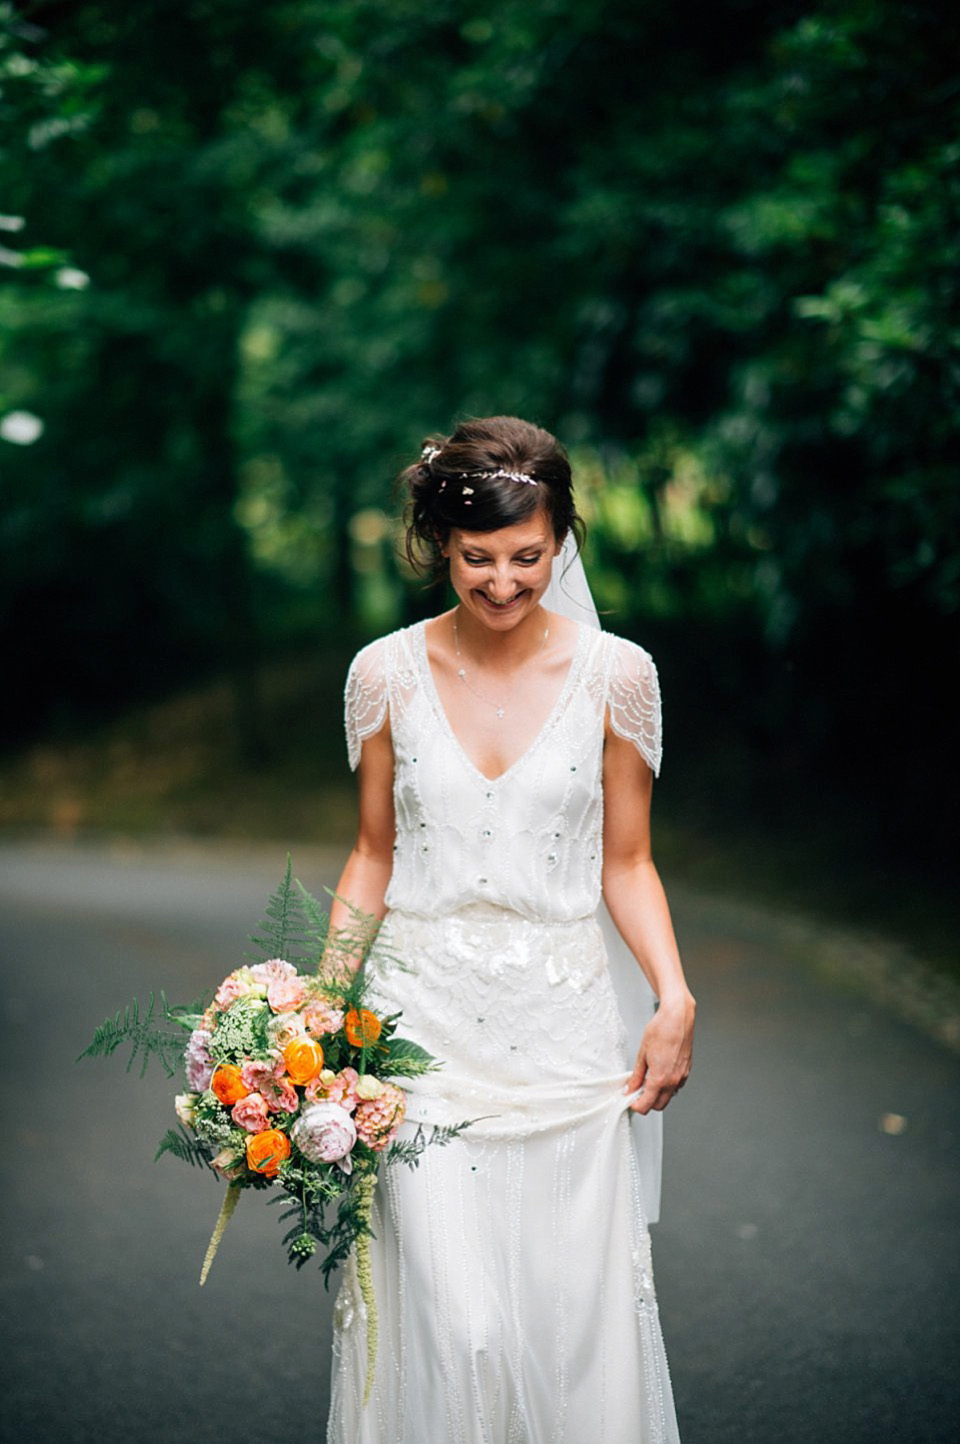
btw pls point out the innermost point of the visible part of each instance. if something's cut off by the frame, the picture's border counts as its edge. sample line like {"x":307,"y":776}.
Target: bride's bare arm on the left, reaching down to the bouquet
{"x":367,"y":873}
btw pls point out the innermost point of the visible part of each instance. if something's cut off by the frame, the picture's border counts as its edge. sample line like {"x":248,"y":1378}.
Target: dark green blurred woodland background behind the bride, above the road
{"x":253,"y":253}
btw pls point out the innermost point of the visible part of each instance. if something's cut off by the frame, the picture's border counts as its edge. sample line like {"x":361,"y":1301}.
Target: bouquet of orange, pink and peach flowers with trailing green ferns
{"x":291,"y":1084}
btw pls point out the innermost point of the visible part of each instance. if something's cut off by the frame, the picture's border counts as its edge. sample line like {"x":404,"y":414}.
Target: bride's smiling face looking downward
{"x":500,"y":577}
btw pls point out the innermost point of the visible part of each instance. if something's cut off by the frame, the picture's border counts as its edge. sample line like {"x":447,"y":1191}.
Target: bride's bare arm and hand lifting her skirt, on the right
{"x":639,"y":906}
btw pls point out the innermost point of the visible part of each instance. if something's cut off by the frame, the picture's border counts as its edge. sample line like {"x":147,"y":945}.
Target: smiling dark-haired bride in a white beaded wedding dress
{"x":506,"y":765}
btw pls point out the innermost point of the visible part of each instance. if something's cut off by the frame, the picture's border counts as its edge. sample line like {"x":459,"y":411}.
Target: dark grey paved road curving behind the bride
{"x":808,"y":1263}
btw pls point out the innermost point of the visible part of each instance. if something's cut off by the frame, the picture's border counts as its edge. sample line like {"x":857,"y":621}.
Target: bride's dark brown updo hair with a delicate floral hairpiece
{"x":489,"y":474}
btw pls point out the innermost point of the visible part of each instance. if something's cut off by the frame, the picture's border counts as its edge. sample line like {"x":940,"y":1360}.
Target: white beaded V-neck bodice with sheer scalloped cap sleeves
{"x":532,"y":838}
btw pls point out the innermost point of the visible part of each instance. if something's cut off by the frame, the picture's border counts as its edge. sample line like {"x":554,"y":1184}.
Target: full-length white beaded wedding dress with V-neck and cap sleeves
{"x":513,"y":1271}
